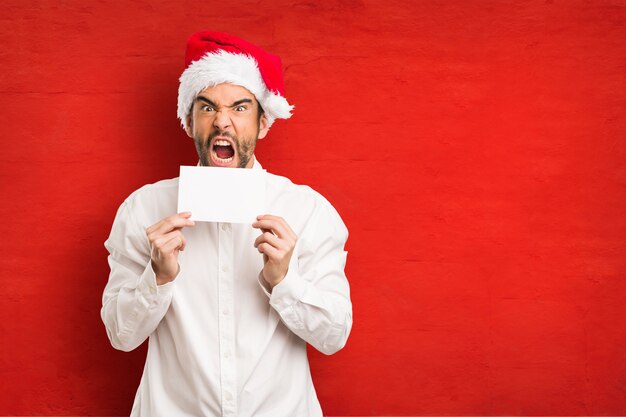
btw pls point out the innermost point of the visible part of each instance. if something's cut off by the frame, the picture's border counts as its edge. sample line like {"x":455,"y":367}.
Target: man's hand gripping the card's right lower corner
{"x":276,"y":244}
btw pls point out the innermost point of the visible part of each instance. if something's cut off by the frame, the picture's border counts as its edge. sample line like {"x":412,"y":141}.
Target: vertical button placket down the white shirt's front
{"x":228,"y":365}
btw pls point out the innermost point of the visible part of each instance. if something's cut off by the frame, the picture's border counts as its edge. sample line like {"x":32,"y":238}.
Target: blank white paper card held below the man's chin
{"x":229,"y":195}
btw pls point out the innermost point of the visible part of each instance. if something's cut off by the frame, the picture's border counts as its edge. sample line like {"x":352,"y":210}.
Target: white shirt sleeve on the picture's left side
{"x":132,"y":303}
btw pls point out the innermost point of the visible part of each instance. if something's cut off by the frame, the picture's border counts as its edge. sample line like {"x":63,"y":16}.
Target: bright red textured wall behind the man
{"x":475,"y":149}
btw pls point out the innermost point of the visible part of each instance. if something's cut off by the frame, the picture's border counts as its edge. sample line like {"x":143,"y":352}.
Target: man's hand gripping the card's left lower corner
{"x":166,"y":240}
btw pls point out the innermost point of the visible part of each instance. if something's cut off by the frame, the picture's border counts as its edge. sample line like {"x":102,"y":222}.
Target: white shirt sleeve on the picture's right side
{"x":313,"y":300}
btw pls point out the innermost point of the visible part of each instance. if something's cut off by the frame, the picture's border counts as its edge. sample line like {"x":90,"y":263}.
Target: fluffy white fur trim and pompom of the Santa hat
{"x":226,"y":67}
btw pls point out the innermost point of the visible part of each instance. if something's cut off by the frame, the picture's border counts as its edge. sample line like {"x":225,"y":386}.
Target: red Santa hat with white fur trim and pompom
{"x":213,"y":58}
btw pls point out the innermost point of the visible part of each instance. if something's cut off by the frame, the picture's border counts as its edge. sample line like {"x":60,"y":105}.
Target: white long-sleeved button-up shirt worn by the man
{"x":220,"y":344}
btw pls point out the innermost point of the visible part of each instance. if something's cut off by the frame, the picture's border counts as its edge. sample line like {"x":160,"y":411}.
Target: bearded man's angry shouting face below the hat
{"x":225,"y":125}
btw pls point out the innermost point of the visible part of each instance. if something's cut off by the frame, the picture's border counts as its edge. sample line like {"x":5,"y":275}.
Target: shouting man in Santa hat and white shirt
{"x":228,"y":308}
